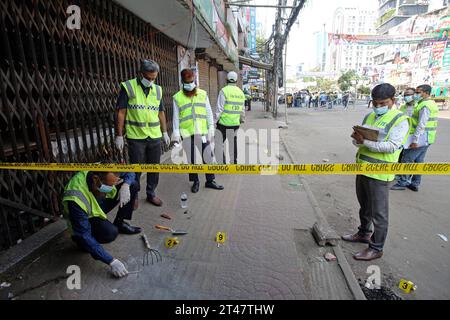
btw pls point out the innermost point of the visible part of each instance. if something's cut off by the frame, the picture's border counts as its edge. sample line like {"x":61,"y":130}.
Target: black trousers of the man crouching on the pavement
{"x":103,"y":230}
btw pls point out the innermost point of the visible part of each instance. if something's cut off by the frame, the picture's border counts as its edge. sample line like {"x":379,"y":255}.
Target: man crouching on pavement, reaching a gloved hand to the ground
{"x":88,"y":198}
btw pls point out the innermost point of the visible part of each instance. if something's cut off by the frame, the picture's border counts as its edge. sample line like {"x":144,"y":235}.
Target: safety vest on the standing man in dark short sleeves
{"x":142,"y":119}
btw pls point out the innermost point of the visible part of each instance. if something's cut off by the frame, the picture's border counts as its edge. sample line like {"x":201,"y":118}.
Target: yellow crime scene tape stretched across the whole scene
{"x":281,"y":169}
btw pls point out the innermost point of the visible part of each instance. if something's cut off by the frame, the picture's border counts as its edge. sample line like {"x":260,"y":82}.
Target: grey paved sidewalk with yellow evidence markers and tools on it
{"x":269,"y":254}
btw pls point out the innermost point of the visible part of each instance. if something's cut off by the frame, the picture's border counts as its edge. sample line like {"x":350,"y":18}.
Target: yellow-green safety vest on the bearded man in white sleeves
{"x":192,"y":113}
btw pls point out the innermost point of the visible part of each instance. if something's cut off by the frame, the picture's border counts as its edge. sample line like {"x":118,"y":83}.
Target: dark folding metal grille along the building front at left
{"x":58,"y":93}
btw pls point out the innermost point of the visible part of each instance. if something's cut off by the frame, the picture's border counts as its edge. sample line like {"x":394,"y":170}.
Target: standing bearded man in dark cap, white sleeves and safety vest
{"x":193,"y":121}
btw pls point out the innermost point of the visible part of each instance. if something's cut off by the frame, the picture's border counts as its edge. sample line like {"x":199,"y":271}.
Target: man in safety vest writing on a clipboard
{"x":372,"y":190}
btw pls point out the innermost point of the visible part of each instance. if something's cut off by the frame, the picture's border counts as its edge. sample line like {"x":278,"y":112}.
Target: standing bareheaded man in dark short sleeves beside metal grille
{"x":140,"y":114}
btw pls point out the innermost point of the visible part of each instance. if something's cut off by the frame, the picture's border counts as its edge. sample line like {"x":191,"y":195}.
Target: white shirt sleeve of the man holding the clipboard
{"x":394,"y":143}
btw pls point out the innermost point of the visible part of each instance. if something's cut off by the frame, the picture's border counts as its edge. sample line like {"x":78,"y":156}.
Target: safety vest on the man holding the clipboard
{"x":385,"y":124}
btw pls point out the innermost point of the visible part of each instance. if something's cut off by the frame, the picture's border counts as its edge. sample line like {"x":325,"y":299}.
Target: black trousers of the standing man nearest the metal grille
{"x":146,"y":151}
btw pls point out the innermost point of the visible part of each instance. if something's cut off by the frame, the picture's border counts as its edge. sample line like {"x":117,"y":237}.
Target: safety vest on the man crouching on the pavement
{"x":77,"y":190}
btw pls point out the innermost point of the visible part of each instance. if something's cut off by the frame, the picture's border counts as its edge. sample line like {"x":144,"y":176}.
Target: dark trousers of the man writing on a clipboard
{"x":373,"y":197}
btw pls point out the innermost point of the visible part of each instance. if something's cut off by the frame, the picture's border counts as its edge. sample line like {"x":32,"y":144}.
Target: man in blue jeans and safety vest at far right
{"x":423,"y":128}
